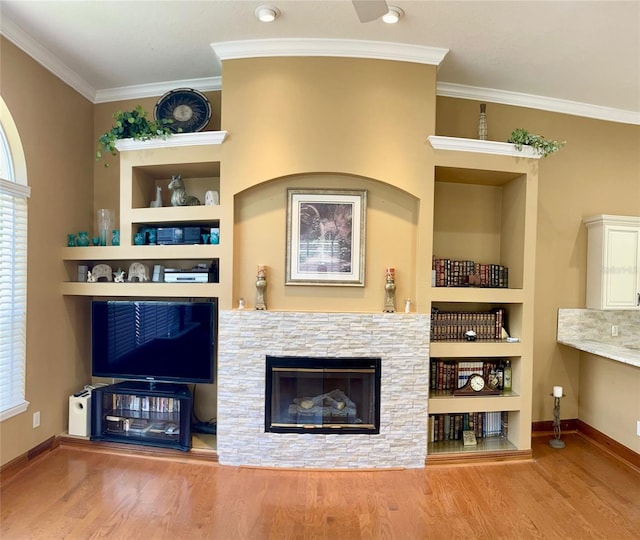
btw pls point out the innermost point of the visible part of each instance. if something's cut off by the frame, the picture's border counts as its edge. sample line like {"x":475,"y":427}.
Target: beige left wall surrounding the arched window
{"x":55,"y":126}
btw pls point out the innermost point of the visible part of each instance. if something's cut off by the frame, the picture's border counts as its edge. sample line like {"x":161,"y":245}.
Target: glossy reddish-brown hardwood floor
{"x":72,"y":493}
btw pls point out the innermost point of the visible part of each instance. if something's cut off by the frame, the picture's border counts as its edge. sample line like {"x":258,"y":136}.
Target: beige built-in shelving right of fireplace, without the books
{"x":485,"y":197}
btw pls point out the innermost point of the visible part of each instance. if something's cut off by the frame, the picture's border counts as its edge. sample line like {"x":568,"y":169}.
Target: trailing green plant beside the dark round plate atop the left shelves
{"x":132,"y":125}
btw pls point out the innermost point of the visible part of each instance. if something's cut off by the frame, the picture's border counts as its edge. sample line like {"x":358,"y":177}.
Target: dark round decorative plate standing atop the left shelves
{"x":188,"y":109}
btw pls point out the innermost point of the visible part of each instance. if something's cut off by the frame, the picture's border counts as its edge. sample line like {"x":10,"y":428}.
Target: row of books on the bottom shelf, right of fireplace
{"x":449,"y":427}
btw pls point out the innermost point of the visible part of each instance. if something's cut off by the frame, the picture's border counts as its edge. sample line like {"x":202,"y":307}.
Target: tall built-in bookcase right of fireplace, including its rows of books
{"x":483,"y":264}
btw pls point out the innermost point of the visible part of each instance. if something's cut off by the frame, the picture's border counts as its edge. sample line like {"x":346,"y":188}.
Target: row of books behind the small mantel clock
{"x":452,"y":374}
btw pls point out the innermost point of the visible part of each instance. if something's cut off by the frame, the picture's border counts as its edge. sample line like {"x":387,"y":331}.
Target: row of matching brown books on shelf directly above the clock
{"x":451,"y":326}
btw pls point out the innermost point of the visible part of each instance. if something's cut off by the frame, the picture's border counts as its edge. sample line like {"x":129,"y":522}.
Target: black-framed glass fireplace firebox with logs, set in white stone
{"x":322,"y":395}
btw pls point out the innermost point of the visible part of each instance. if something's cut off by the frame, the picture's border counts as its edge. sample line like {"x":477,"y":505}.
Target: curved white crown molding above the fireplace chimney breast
{"x":349,"y":48}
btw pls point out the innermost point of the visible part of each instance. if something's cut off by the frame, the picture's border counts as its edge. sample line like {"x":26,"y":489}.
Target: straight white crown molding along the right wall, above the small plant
{"x":530,"y":101}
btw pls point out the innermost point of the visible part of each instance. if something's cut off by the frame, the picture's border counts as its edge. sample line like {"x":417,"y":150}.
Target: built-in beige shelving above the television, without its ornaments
{"x":145,"y":166}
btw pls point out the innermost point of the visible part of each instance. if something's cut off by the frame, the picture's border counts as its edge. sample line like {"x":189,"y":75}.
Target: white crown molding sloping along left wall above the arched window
{"x":50,"y":62}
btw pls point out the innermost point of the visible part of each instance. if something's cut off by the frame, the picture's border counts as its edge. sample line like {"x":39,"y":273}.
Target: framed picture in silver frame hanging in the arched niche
{"x":326,"y":237}
